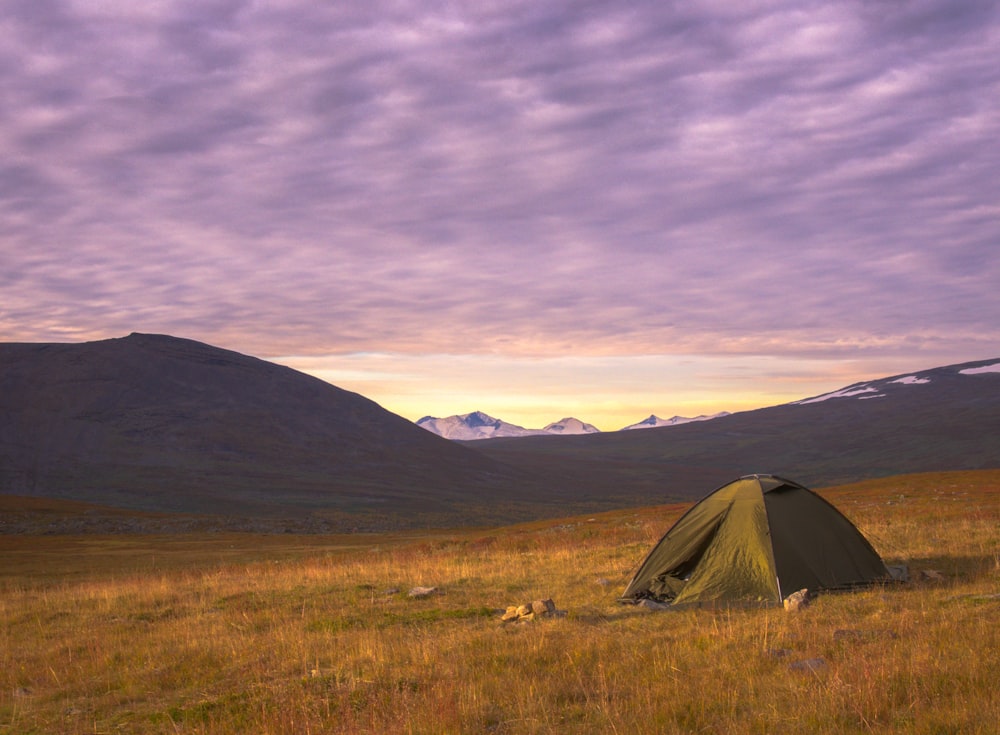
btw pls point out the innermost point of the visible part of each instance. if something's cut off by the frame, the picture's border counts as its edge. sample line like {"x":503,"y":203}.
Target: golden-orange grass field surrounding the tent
{"x":217,"y":633}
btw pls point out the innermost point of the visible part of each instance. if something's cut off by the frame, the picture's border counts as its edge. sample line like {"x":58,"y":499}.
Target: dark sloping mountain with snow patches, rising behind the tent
{"x":946,"y":418}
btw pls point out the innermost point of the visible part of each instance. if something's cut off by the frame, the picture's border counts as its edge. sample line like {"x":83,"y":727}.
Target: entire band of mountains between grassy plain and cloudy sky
{"x":155,"y":423}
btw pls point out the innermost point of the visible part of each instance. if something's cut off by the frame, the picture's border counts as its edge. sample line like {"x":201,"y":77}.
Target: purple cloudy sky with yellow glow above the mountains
{"x":538,"y":210}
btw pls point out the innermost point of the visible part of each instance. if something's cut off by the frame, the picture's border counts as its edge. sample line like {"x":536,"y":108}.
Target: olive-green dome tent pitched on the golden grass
{"x":758,"y":538}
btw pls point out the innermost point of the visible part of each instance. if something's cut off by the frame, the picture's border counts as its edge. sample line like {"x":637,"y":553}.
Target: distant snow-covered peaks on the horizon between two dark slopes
{"x":478,"y":425}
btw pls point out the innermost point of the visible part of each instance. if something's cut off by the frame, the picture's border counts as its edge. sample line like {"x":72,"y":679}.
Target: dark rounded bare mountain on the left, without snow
{"x":158,"y":423}
